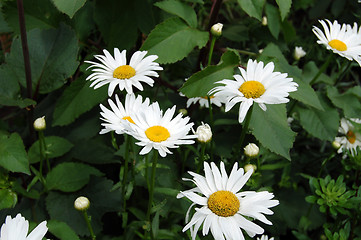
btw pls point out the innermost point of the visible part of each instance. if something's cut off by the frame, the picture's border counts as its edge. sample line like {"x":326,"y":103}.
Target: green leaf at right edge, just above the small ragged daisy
{"x":349,"y":101}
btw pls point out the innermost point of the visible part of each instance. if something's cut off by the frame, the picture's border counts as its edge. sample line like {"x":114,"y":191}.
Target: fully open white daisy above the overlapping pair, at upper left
{"x":116,"y":71}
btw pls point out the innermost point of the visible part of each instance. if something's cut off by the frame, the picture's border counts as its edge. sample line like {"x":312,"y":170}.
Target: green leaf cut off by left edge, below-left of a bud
{"x":13,"y":156}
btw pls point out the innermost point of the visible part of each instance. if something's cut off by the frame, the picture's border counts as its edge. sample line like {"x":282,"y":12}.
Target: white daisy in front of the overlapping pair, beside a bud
{"x":158,"y":131}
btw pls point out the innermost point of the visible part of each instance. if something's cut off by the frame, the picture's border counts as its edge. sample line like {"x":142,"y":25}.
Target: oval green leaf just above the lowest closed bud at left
{"x":70,"y":177}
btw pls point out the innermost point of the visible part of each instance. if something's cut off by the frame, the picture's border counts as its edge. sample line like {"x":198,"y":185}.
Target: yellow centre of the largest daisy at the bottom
{"x":223,"y":203}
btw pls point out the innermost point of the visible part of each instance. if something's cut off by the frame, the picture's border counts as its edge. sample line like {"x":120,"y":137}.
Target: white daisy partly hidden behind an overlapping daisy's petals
{"x":118,"y":112}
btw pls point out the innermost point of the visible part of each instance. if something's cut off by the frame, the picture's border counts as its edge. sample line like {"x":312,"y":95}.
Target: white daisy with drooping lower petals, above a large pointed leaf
{"x":258,"y":84}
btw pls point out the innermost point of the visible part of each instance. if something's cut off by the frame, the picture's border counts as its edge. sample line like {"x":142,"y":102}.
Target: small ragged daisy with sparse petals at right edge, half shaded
{"x":350,"y":139}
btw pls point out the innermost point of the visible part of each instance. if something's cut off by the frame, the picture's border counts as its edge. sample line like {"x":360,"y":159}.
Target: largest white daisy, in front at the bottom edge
{"x":224,"y":209}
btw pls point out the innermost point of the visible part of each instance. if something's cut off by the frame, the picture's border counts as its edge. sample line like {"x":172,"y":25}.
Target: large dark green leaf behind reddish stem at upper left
{"x":53,"y":55}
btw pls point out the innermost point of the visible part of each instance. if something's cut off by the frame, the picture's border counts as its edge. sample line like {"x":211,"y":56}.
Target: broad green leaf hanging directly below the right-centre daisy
{"x":271,"y":129}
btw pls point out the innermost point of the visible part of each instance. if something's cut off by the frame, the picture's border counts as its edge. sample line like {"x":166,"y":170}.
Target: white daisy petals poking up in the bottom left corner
{"x":17,"y":229}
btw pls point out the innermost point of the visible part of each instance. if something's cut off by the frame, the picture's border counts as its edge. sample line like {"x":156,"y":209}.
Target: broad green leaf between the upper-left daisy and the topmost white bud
{"x":172,"y":40}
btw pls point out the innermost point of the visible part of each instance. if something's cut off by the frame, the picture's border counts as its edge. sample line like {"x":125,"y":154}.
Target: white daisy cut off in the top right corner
{"x":341,"y":39}
